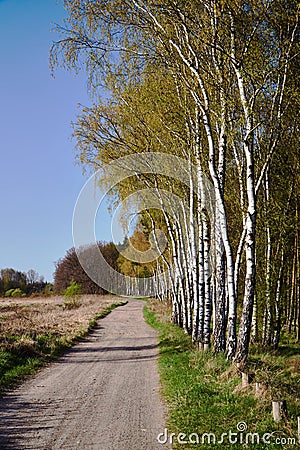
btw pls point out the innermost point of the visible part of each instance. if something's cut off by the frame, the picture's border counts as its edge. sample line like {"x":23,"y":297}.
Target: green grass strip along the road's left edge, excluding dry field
{"x":23,"y":355}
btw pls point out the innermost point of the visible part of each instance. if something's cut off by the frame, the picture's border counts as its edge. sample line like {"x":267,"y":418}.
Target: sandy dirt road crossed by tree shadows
{"x":103,"y":394}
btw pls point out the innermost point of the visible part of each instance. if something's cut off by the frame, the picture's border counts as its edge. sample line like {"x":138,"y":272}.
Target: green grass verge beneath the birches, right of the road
{"x":202,"y":395}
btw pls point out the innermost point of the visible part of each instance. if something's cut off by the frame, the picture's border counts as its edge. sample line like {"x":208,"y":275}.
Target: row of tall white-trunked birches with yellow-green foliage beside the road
{"x":215,"y":83}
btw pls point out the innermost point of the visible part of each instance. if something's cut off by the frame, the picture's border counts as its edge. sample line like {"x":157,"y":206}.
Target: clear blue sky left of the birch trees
{"x":39,"y":182}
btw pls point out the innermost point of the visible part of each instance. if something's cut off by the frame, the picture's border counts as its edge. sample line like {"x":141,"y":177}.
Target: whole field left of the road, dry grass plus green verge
{"x":32,"y":330}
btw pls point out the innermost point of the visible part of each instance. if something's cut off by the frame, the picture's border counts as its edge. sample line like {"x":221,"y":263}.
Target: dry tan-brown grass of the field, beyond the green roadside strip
{"x":28,"y":318}
